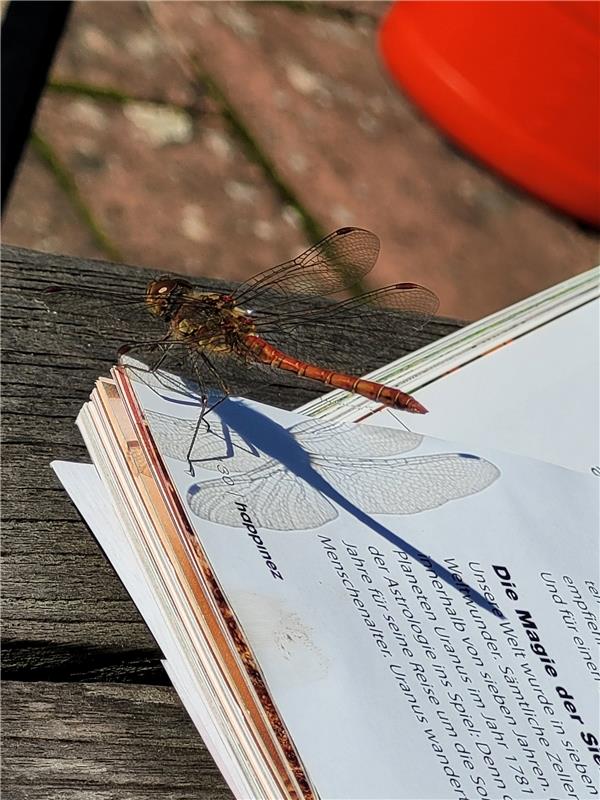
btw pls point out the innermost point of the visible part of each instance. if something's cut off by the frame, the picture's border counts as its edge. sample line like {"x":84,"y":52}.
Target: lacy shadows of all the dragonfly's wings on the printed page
{"x":284,"y":498}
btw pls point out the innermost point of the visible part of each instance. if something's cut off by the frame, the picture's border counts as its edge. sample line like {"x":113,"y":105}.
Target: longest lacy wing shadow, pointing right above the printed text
{"x":408,"y":485}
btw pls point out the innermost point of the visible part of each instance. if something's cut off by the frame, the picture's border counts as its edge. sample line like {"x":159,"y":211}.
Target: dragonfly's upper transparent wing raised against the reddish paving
{"x":337,"y":262}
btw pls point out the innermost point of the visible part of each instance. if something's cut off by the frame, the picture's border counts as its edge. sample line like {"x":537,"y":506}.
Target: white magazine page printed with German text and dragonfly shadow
{"x":391,"y":684}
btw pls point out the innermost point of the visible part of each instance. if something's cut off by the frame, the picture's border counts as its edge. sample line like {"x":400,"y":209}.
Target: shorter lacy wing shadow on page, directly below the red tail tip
{"x":327,"y":438}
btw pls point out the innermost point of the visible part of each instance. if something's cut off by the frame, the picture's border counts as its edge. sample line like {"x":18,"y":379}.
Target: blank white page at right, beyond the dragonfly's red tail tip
{"x":538,"y":395}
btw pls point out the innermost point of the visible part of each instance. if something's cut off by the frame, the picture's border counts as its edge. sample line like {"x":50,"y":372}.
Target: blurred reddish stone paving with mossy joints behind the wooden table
{"x":219,"y":138}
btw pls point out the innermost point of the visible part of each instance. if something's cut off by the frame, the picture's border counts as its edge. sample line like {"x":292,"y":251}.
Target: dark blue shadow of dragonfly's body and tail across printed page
{"x":275,"y":441}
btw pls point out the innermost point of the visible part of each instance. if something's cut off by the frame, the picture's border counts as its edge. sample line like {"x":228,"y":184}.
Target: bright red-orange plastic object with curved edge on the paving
{"x":517,"y":84}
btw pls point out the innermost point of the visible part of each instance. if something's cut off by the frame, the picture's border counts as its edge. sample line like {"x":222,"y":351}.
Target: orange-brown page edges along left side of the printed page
{"x":200,"y":585}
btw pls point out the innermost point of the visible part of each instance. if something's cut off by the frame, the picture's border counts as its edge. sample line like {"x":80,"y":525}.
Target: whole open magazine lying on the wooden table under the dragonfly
{"x":363,"y":610}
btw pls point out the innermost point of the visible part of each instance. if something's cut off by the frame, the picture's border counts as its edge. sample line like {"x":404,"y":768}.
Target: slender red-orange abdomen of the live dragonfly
{"x":386,"y":395}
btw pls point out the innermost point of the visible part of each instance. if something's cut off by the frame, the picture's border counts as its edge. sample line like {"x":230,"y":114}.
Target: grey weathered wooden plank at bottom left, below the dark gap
{"x":98,"y":741}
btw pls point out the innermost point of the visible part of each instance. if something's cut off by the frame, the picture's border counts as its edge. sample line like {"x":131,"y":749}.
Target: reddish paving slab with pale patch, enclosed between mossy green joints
{"x":173,"y":193}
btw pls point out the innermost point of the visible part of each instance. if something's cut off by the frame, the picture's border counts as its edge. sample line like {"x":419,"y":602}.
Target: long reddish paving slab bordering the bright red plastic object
{"x":356,"y":152}
